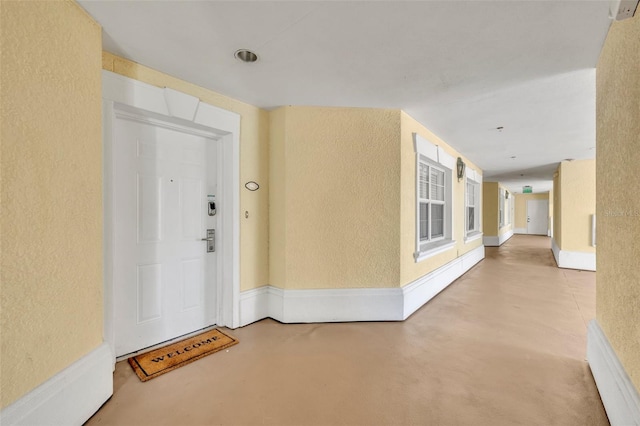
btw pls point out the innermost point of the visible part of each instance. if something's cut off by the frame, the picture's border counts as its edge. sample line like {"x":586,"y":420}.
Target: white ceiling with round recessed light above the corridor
{"x":460,"y":68}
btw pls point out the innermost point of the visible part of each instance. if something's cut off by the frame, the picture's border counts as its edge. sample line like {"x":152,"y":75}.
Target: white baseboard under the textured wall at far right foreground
{"x":619,"y":397}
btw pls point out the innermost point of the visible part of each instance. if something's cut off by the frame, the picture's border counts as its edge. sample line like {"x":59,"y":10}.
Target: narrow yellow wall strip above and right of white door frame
{"x":254,"y":165}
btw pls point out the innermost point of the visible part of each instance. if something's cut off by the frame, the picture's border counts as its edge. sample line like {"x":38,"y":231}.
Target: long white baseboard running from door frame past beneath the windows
{"x":353,"y":304}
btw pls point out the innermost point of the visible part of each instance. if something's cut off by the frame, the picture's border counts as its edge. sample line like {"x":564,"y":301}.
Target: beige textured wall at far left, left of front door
{"x":51,"y":168}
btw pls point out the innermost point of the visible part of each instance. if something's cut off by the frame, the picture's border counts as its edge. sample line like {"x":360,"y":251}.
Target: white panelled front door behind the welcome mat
{"x":164,"y":278}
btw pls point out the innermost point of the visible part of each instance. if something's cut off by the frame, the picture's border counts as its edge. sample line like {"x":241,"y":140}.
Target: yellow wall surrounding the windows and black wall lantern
{"x":410,"y":270}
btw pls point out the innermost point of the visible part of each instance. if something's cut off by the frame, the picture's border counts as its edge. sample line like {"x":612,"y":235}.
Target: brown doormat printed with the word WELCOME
{"x":159,"y":361}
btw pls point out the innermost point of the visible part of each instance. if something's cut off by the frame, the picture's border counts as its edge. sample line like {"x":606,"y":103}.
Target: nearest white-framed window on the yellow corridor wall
{"x":434,"y":183}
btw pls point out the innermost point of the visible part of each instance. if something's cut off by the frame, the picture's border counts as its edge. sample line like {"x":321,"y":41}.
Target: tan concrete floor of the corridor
{"x":503,"y":345}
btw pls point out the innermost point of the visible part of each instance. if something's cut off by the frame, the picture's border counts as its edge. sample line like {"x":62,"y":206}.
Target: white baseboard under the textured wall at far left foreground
{"x":70,"y":397}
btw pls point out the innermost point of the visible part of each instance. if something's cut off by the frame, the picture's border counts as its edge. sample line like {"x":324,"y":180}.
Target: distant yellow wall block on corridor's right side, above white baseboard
{"x":578,"y":199}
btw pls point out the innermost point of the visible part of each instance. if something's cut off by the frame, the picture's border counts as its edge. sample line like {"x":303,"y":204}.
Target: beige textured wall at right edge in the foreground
{"x":618,"y":207}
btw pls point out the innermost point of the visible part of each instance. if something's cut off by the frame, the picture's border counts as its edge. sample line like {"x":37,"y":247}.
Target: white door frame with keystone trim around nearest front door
{"x":170,"y":108}
